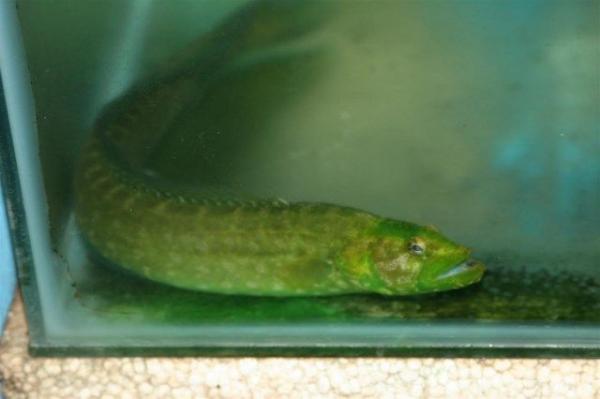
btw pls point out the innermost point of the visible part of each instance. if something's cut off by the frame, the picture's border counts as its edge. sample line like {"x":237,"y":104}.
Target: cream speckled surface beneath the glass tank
{"x":47,"y":378}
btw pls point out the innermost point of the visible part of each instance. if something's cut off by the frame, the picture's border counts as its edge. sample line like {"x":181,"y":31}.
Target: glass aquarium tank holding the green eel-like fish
{"x":304,"y":177}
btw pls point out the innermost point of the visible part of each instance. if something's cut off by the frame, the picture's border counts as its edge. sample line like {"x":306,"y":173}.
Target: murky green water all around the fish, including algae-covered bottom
{"x":480,"y":118}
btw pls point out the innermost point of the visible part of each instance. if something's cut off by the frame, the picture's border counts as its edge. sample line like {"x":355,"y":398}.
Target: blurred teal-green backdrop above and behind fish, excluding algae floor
{"x":484,"y":108}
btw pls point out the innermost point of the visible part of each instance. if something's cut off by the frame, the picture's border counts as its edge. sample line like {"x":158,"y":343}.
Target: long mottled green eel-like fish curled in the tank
{"x":230,"y":245}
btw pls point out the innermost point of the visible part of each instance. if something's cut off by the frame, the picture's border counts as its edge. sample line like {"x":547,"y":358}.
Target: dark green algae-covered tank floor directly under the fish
{"x":511,"y":291}
